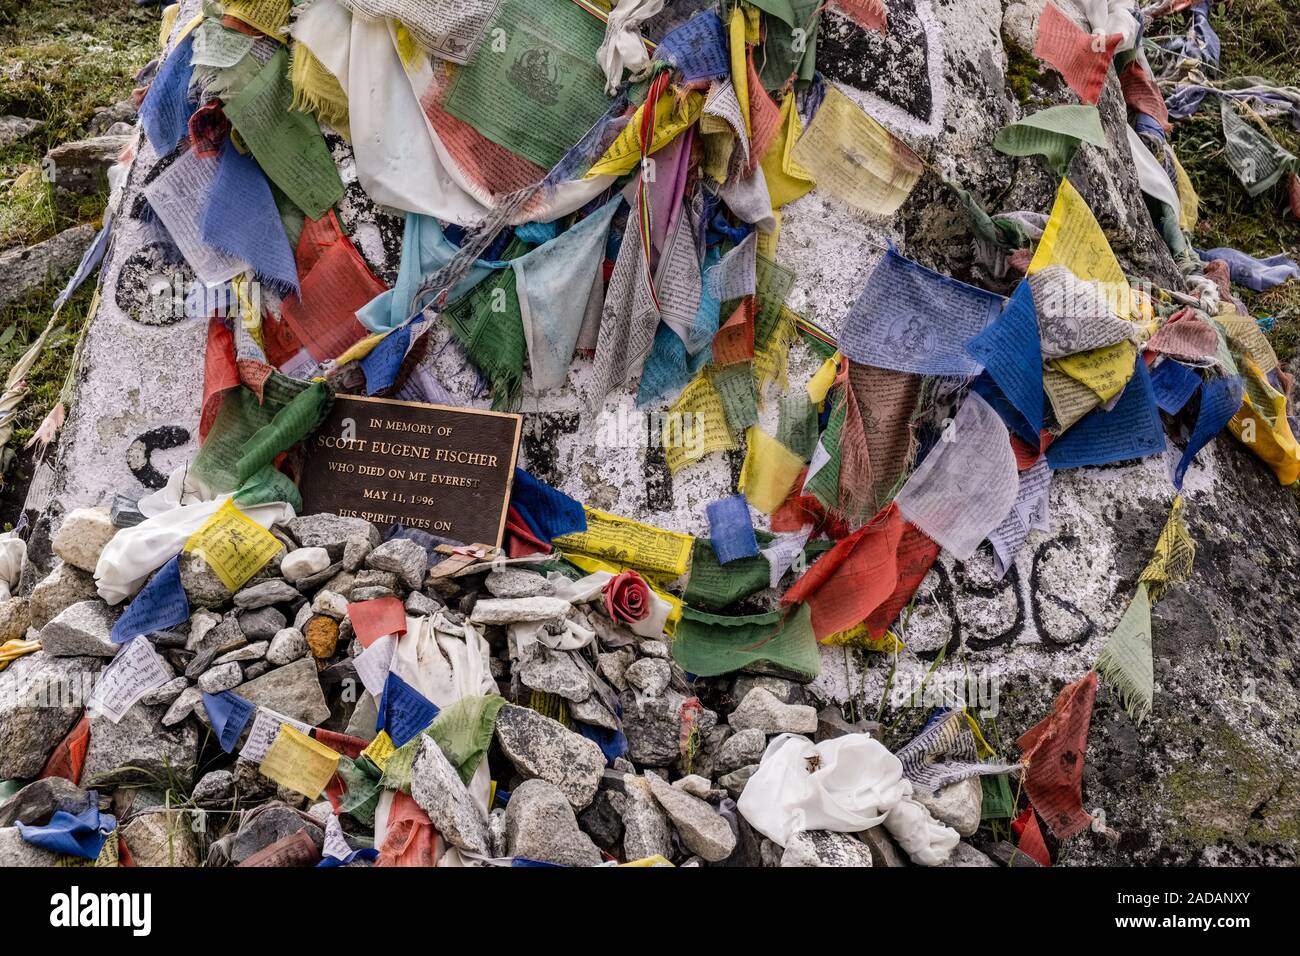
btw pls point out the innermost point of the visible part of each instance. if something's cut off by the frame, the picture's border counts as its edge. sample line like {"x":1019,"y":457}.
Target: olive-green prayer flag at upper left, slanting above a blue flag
{"x":288,"y":145}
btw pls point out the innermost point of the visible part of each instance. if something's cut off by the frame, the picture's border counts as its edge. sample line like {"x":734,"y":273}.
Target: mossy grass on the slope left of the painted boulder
{"x":60,"y":62}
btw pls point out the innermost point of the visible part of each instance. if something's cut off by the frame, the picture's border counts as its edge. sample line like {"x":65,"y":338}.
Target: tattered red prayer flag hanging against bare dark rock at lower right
{"x":1054,"y":751}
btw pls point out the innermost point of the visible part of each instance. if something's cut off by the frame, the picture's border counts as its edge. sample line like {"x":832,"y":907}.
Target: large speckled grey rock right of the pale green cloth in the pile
{"x":541,"y":747}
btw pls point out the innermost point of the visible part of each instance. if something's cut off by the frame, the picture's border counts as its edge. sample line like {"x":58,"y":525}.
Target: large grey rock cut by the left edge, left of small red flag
{"x":41,"y":699}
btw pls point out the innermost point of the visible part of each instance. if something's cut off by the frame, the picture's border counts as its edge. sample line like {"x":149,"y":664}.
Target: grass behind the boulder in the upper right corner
{"x":1260,"y":38}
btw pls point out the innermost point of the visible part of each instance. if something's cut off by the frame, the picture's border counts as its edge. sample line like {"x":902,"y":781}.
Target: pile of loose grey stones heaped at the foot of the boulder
{"x":285,"y":642}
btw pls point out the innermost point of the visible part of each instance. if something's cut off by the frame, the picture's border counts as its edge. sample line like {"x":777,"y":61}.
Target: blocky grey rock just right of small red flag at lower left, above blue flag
{"x":138,"y":749}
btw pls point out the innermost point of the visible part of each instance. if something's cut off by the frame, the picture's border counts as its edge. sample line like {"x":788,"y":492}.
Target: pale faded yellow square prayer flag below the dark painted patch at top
{"x":856,"y":159}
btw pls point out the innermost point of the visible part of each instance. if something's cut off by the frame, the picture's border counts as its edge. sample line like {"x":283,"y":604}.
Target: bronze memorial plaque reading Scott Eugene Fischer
{"x":447,"y":471}
